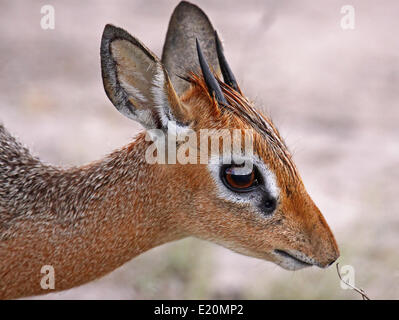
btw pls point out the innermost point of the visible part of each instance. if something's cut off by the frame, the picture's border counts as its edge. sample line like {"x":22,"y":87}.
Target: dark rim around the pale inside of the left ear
{"x":159,"y":114}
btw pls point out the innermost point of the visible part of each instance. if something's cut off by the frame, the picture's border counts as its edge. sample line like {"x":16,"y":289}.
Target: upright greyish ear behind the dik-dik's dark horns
{"x":187,"y":23}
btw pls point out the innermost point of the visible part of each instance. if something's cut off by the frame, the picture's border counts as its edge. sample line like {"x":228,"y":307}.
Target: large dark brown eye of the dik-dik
{"x":240,"y":178}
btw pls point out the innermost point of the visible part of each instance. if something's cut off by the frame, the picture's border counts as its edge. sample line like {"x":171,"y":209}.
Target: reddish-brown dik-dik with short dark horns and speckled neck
{"x":87,"y":221}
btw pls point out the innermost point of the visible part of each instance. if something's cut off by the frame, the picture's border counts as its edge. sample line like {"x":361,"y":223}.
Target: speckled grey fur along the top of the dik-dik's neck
{"x":33,"y":190}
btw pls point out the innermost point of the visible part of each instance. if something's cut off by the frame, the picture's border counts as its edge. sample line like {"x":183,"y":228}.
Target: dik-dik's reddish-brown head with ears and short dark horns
{"x":256,"y":204}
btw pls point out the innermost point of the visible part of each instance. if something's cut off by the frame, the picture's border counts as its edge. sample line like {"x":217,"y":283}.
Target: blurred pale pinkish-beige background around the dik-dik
{"x":333,"y":93}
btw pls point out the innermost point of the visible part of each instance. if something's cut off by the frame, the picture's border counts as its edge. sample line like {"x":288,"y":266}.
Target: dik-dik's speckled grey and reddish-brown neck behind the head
{"x":84,"y":222}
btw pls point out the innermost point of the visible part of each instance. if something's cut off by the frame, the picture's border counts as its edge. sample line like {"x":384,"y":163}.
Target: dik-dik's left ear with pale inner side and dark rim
{"x":136,"y":82}
